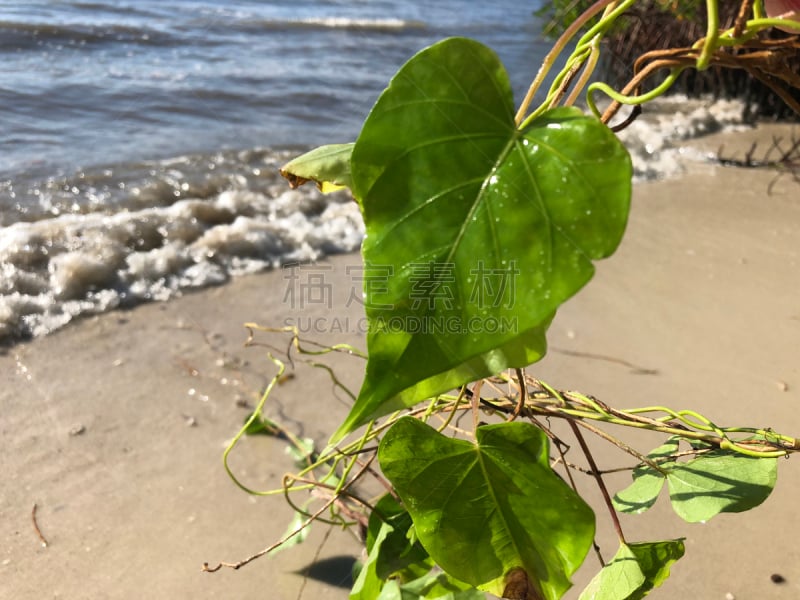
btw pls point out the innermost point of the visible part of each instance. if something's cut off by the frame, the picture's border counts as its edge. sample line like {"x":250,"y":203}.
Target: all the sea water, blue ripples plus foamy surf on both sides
{"x":140,"y":140}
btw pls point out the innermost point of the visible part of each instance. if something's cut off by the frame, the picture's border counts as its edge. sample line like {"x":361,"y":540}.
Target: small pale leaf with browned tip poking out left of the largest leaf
{"x":328,"y":166}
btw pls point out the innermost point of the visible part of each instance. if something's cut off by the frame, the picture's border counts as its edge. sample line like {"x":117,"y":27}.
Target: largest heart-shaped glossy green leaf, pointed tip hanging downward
{"x":476,"y":231}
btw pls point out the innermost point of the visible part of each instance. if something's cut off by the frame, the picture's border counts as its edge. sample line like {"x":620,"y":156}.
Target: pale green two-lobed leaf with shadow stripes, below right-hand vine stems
{"x":712,"y":483}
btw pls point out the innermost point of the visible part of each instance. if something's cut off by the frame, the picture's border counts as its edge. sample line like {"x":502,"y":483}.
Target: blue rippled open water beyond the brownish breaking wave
{"x":99,"y":82}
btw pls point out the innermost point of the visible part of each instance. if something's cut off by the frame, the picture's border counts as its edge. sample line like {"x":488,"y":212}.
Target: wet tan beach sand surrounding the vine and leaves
{"x":114,"y":427}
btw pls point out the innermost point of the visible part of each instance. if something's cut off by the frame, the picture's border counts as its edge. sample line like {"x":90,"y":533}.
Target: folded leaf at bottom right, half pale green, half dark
{"x":634,"y":571}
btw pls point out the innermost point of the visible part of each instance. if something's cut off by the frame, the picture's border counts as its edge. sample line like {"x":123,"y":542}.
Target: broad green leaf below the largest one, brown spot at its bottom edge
{"x":492,"y":509}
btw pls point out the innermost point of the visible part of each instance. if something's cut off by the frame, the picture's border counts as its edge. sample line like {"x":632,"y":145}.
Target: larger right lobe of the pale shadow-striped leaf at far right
{"x":720,"y":482}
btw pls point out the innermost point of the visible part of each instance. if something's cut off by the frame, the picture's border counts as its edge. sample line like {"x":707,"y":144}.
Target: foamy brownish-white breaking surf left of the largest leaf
{"x":56,"y":269}
